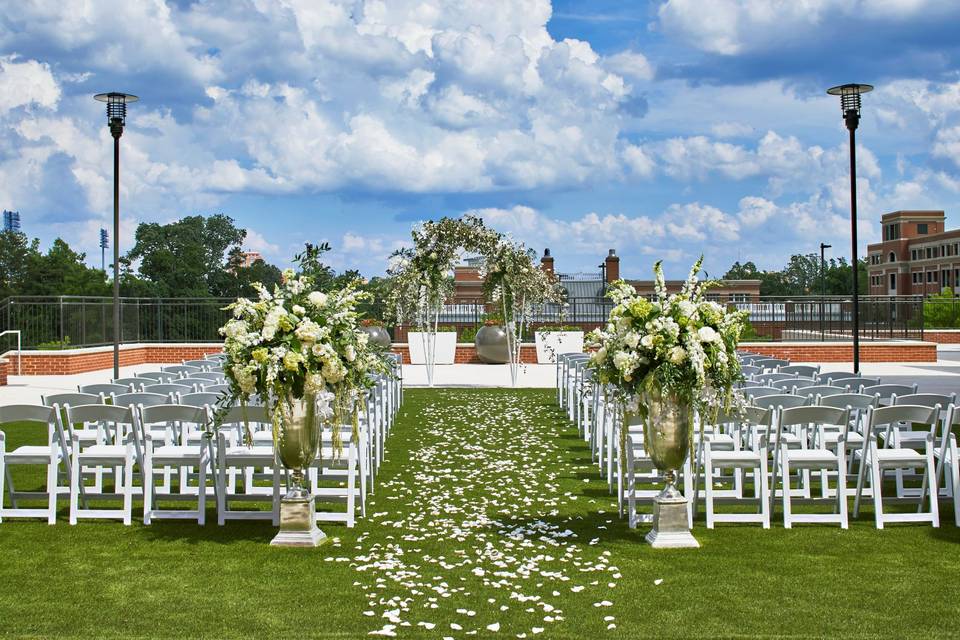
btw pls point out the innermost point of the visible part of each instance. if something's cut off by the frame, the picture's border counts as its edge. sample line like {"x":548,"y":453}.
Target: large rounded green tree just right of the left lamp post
{"x":186,"y":257}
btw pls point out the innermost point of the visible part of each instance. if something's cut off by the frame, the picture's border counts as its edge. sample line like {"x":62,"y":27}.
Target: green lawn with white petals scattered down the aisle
{"x":488,"y":512}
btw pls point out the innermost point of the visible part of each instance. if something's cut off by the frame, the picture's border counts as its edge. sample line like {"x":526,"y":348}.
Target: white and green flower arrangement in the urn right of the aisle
{"x":682,"y":343}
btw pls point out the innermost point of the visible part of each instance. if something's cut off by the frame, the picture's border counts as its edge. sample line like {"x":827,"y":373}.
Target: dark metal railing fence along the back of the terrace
{"x":74,"y":321}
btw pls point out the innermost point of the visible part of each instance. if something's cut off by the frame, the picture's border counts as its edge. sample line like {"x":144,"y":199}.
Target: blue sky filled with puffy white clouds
{"x":662,"y":129}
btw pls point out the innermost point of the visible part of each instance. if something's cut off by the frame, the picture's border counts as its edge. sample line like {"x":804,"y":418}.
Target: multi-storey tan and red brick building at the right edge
{"x":916,"y":256}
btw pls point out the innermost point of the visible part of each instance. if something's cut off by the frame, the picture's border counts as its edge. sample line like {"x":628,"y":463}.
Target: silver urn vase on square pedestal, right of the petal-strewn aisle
{"x":668,"y":425}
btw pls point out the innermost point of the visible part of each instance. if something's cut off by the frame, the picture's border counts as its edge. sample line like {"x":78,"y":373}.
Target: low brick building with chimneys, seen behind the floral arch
{"x":583,"y":286}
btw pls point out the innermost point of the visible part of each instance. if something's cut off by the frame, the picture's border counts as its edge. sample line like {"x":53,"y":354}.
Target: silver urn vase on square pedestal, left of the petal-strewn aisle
{"x":297,"y":430}
